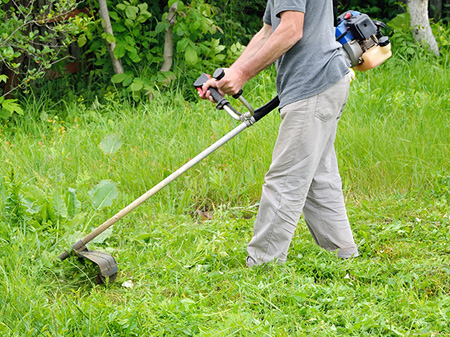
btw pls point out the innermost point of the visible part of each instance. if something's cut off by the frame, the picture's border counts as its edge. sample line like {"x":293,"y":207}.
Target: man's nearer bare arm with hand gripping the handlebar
{"x":263,"y":52}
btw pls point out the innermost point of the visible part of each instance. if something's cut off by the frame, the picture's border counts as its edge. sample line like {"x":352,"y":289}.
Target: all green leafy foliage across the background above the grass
{"x":207,"y":34}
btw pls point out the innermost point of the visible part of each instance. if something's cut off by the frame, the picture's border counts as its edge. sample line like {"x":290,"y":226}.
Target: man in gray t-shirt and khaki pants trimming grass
{"x":312,"y":83}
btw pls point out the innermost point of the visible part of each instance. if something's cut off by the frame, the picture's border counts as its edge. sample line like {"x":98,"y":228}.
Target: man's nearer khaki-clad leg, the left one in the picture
{"x":304,"y":134}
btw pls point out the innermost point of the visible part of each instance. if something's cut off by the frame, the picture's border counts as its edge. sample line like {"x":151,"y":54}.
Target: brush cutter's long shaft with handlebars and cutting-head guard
{"x":106,"y":263}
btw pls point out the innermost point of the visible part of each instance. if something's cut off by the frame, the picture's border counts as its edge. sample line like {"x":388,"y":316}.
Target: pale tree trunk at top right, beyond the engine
{"x":421,"y":25}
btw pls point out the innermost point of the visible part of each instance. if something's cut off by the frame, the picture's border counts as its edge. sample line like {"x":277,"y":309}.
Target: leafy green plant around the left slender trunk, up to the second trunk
{"x":136,"y":46}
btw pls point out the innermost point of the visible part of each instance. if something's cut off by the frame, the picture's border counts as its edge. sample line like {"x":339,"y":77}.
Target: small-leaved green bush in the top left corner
{"x":33,"y":39}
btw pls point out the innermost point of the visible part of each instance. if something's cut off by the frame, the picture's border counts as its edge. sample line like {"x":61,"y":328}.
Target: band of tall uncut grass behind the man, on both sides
{"x":392,"y":137}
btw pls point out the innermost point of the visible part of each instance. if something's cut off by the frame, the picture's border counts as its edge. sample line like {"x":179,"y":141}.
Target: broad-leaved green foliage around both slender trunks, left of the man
{"x":141,"y":49}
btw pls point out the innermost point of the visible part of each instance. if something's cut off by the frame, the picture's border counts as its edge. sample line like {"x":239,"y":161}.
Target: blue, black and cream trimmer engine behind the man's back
{"x":362,"y":40}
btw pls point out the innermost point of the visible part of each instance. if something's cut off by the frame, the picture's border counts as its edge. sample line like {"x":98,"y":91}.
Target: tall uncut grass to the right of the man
{"x":394,"y":135}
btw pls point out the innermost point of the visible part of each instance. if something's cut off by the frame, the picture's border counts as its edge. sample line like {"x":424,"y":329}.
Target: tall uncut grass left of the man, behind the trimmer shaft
{"x":58,"y":146}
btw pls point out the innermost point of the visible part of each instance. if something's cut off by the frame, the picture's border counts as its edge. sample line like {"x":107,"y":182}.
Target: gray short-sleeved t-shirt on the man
{"x":316,"y":61}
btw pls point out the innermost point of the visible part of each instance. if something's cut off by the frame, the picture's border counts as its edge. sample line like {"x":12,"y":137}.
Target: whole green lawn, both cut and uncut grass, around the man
{"x":186,"y":273}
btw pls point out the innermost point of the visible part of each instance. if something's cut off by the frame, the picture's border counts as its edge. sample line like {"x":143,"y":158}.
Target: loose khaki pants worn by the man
{"x":304,"y":176}
